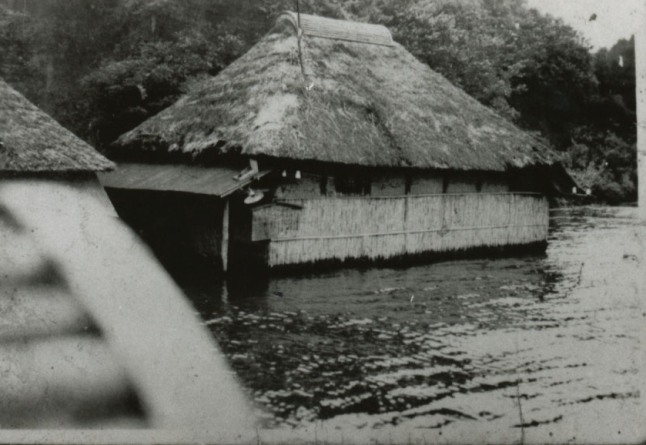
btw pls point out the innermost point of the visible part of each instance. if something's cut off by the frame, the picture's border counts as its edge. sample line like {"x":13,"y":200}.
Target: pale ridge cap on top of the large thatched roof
{"x":340,"y":29}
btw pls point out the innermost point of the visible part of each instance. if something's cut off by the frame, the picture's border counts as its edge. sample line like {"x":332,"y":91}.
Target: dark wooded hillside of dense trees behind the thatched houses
{"x":101,"y":67}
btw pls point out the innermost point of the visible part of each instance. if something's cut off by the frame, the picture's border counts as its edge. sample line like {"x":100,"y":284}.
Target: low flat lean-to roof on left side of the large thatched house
{"x":216,"y":181}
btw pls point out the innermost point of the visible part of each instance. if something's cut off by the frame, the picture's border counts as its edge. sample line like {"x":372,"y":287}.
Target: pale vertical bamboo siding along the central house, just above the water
{"x":333,"y":228}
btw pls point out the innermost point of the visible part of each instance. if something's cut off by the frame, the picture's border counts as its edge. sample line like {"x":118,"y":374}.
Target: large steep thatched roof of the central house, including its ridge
{"x":339,"y":99}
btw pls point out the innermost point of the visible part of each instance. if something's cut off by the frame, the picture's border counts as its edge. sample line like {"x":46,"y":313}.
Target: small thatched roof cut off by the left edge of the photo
{"x":31,"y":141}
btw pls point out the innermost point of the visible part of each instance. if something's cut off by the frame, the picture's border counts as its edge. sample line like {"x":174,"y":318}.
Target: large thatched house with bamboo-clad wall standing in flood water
{"x":364,"y":152}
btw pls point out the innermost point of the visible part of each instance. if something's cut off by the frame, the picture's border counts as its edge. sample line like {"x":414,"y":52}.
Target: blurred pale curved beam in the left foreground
{"x":149,"y":327}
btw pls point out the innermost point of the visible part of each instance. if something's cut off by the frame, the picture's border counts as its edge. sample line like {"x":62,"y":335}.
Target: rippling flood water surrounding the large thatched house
{"x":538,"y":348}
